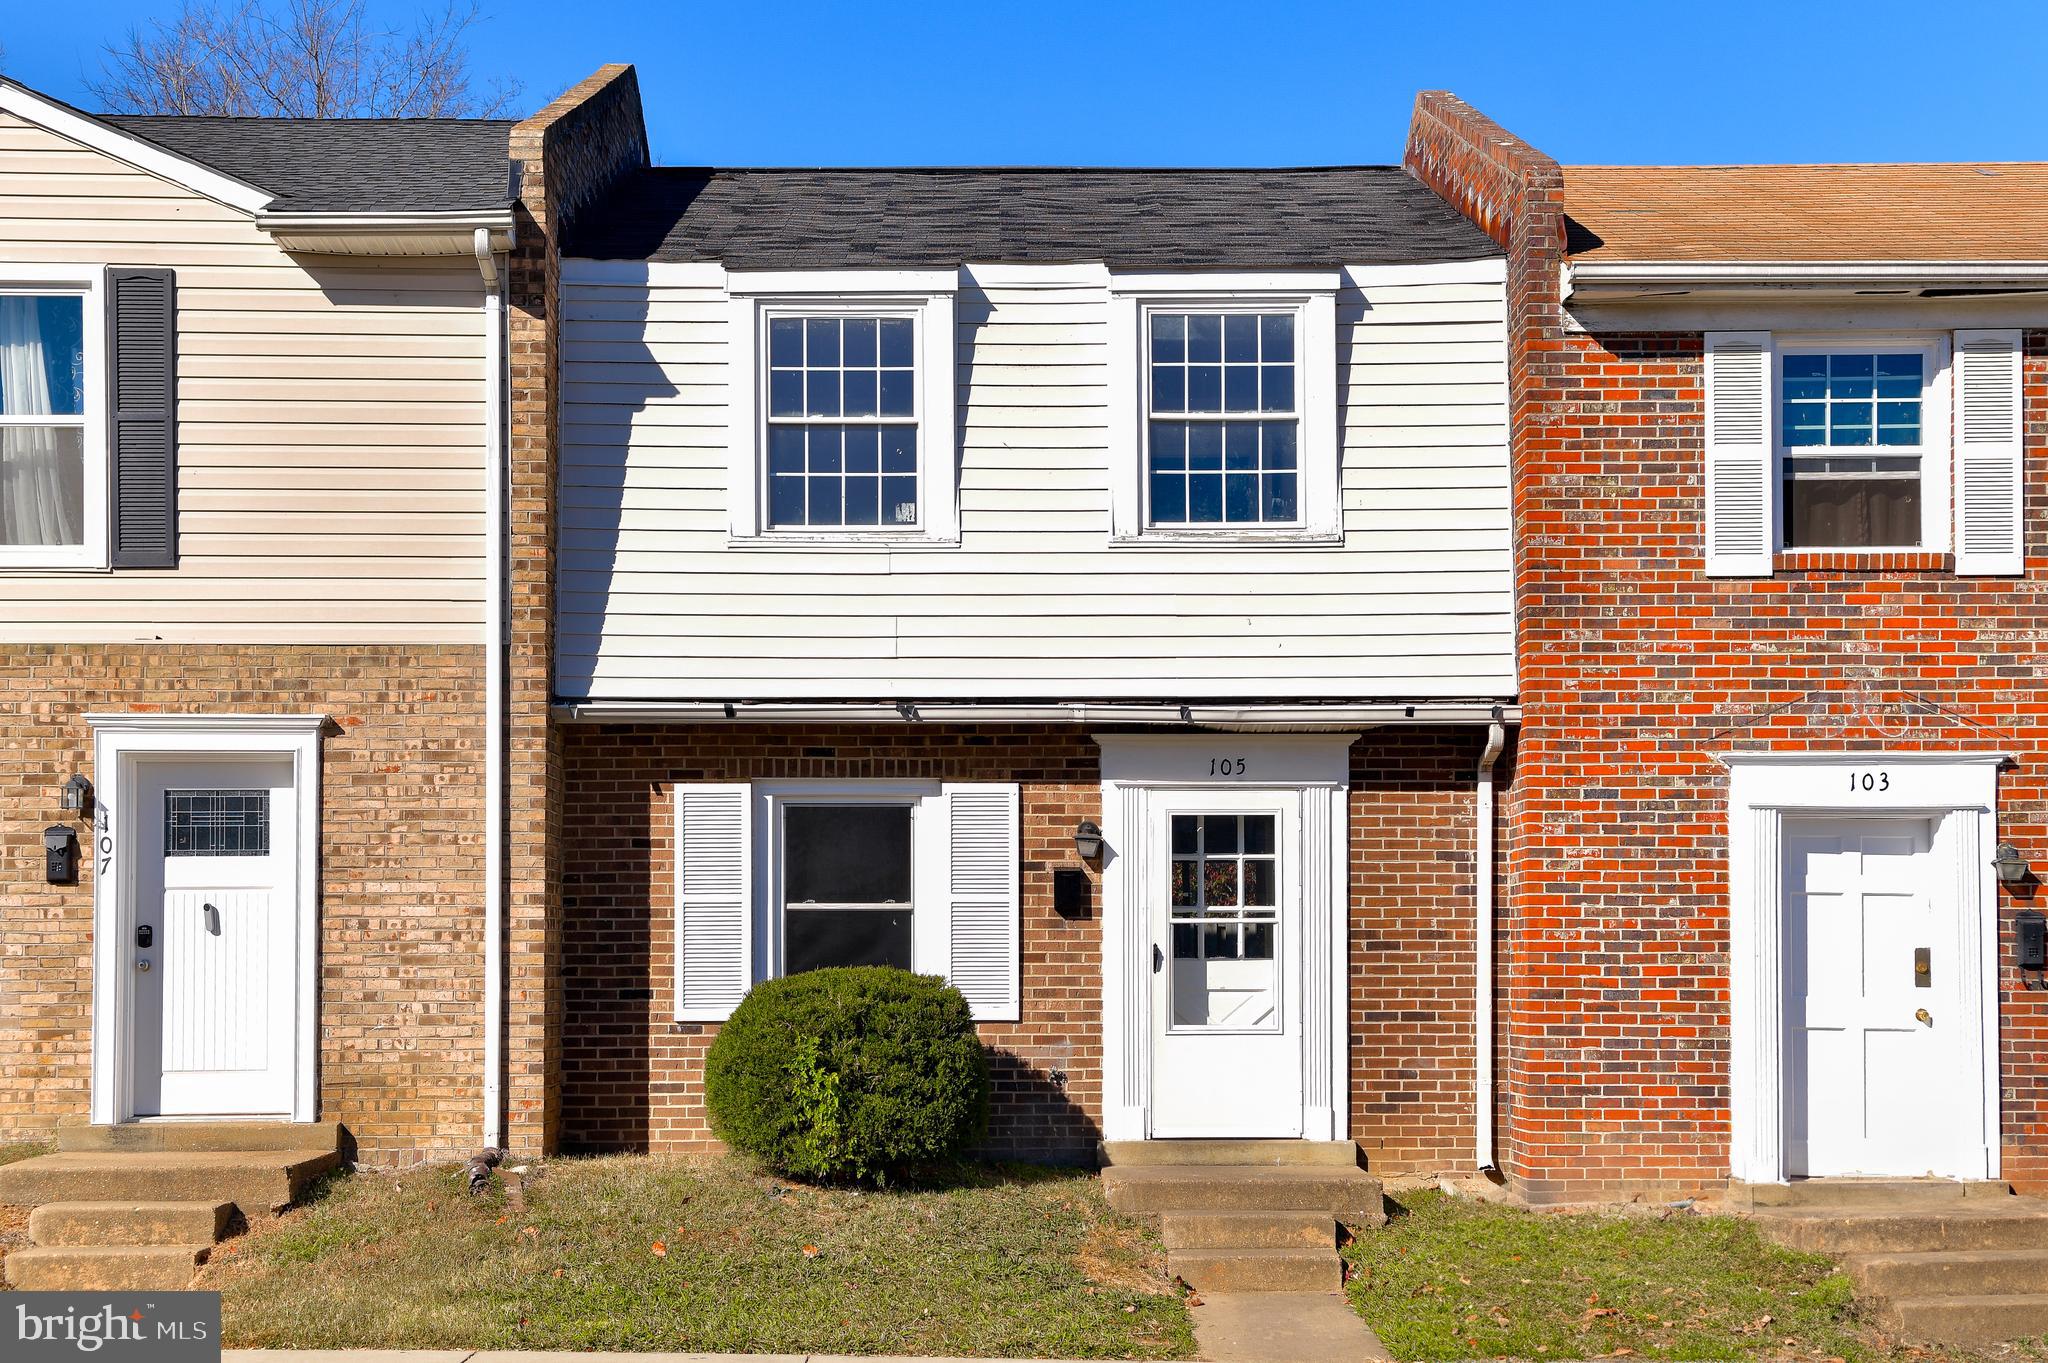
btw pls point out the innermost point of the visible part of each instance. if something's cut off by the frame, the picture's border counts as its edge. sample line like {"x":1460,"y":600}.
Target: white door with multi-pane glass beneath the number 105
{"x":1224,"y":893}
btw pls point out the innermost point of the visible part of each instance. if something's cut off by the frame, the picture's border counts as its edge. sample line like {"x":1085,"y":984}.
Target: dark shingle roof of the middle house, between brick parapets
{"x":798,"y":220}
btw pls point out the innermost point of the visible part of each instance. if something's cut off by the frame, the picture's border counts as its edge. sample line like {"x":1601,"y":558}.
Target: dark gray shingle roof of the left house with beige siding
{"x":347,"y":165}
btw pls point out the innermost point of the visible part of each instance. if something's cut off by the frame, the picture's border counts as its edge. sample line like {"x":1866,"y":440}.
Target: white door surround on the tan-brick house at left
{"x":118,"y":744}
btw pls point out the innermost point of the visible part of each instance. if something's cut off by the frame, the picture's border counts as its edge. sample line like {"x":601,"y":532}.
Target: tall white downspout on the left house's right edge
{"x":495,"y":689}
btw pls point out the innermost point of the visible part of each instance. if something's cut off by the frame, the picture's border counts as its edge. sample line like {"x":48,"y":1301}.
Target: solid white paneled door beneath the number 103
{"x":1875,"y":1024}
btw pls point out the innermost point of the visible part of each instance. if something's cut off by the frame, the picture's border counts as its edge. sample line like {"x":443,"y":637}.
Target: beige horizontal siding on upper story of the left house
{"x":331,"y":425}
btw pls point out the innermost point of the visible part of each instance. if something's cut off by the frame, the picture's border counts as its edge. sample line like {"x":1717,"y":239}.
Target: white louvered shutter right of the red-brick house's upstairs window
{"x":1990,"y":455}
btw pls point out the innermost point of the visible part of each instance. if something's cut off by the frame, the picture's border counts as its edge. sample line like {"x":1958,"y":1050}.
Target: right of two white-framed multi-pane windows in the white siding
{"x":1224,"y":410}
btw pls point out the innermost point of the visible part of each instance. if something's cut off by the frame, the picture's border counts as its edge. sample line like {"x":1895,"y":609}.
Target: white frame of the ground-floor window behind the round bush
{"x":929,"y":924}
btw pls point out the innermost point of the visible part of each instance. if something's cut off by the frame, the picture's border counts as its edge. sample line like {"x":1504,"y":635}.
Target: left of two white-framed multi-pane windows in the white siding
{"x":843,"y":408}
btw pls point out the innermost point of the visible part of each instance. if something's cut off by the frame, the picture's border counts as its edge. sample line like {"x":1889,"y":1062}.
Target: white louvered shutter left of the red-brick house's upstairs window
{"x":1740,"y":535}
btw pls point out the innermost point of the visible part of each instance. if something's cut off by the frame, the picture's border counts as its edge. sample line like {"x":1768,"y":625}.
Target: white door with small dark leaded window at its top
{"x":216,"y":887}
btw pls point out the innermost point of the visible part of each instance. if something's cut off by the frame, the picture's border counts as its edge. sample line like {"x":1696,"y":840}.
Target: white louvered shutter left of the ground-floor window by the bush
{"x":714,"y":899}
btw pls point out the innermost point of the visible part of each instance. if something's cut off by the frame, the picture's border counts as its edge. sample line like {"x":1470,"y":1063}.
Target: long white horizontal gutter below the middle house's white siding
{"x":1336,"y":715}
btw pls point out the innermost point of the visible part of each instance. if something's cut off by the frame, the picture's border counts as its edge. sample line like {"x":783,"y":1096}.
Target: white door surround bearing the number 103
{"x":1764,"y":789}
